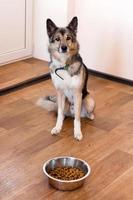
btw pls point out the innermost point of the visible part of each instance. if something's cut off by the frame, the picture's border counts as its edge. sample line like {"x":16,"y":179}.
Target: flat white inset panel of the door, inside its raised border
{"x":12,"y":25}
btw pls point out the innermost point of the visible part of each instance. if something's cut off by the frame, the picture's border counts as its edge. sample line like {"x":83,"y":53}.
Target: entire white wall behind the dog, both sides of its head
{"x":105,"y":32}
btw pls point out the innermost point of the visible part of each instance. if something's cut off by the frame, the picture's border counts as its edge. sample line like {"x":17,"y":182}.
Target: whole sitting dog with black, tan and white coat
{"x":69,"y":76}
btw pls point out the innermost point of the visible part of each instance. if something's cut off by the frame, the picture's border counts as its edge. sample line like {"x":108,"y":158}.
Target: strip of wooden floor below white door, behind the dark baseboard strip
{"x":21,"y":71}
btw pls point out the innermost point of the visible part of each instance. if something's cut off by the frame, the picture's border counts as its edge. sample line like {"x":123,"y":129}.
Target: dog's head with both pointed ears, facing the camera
{"x":63,"y":40}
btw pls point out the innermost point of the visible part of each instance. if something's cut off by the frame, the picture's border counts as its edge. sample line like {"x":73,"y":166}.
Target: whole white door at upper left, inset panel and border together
{"x":15,"y":29}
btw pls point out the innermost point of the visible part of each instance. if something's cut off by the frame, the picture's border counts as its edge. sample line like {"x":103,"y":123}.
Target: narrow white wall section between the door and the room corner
{"x":43,"y":9}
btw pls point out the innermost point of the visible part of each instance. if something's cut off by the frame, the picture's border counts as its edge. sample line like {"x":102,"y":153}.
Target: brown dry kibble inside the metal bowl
{"x":66,"y":173}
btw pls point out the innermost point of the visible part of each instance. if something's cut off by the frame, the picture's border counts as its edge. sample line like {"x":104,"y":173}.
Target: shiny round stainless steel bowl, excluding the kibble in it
{"x":66,"y":162}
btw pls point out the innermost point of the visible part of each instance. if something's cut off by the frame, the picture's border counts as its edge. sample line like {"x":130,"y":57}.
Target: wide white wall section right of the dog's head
{"x":106,"y":35}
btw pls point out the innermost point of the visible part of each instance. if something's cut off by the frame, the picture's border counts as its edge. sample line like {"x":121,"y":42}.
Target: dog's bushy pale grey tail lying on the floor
{"x":49,"y":103}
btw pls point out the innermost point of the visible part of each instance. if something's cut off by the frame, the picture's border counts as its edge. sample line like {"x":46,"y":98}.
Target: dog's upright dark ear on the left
{"x":51,"y":27}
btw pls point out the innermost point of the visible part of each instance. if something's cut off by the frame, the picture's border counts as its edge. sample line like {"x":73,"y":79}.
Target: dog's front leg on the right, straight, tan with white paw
{"x":77,"y":107}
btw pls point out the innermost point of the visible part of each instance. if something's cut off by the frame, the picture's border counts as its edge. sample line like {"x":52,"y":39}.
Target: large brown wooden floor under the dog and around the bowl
{"x":26,"y":143}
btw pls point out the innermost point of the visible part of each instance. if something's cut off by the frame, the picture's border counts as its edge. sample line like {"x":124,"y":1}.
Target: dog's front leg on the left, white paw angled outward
{"x":60,"y":116}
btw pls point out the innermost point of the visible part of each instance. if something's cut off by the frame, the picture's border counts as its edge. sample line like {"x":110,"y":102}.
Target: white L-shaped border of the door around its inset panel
{"x":27,"y":50}
